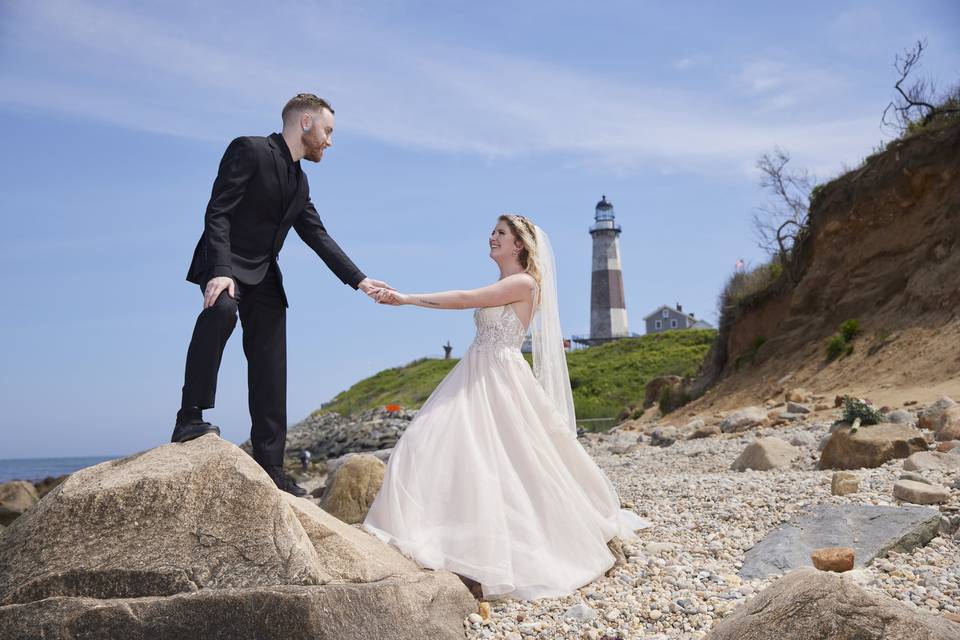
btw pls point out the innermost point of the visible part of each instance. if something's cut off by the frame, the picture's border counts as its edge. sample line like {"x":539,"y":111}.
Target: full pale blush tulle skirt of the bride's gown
{"x":487,"y":483}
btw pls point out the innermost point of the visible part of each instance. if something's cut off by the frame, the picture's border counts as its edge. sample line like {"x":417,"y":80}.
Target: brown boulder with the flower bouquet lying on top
{"x":870,"y":446}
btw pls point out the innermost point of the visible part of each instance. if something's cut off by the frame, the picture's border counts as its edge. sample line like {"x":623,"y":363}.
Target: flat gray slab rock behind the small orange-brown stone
{"x":870,"y":530}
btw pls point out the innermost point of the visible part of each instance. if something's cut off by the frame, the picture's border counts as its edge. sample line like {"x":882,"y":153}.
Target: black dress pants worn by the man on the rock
{"x":263,"y":319}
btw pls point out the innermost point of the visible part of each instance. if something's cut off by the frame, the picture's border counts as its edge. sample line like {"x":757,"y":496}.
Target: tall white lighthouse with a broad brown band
{"x":608,"y":311}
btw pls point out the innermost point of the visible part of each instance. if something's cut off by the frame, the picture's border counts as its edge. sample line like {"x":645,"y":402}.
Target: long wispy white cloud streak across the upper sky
{"x":141,"y":72}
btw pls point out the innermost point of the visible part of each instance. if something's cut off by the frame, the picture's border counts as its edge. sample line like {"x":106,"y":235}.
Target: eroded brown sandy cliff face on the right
{"x":884,"y":249}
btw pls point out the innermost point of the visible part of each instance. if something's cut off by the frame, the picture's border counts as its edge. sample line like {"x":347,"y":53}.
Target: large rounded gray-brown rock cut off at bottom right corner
{"x":817,"y":605}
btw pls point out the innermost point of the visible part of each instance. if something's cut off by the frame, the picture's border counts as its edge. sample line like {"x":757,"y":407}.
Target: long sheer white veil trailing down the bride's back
{"x":549,"y":356}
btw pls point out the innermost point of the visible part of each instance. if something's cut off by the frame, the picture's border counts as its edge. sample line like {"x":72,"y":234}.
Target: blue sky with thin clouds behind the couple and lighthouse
{"x":114,"y":117}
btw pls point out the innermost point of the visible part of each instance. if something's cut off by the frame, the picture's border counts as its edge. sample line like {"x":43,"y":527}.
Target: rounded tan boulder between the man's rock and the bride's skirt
{"x":352,"y":487}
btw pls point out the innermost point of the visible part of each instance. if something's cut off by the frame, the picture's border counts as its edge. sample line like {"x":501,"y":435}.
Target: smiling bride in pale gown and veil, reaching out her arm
{"x":489,"y":480}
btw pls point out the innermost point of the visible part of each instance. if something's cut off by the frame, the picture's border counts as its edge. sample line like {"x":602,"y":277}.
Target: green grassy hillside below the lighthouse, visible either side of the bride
{"x":604,"y":379}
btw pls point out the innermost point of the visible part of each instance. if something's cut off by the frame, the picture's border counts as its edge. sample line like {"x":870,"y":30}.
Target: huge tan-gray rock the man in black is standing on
{"x":196,"y":537}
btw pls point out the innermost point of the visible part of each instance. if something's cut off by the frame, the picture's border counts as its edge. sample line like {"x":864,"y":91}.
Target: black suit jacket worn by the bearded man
{"x":246,"y":221}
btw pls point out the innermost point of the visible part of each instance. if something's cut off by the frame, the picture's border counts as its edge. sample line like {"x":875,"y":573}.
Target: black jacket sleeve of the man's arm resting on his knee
{"x":238,"y":165}
